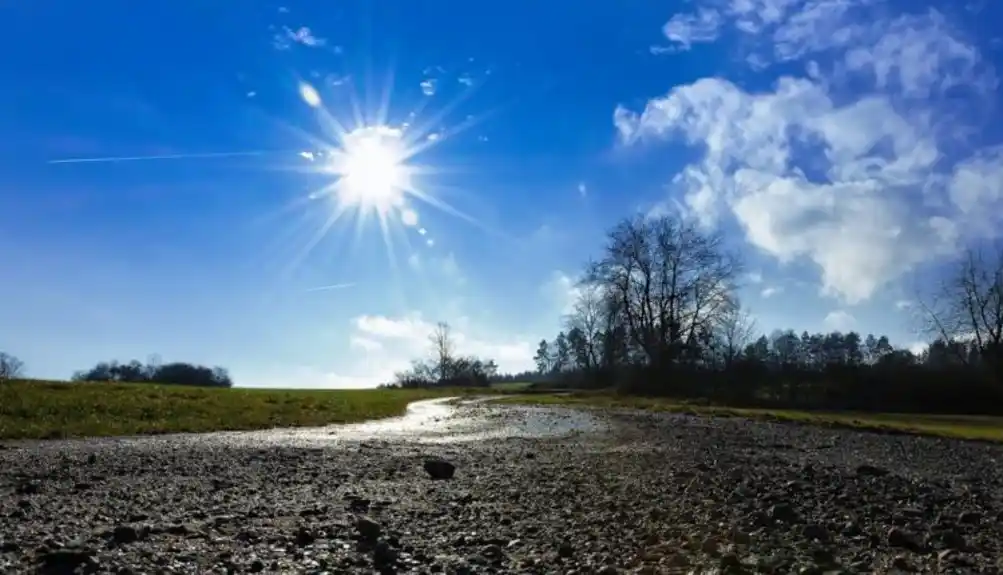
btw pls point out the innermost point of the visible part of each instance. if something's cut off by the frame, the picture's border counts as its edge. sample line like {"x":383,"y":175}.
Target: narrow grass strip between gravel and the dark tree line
{"x":982,"y":428}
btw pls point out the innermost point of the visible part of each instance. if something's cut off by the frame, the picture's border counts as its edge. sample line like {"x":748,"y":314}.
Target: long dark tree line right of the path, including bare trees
{"x":658,"y":314}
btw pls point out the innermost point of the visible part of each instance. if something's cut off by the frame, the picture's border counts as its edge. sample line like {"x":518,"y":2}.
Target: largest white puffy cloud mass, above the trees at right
{"x":867,"y":185}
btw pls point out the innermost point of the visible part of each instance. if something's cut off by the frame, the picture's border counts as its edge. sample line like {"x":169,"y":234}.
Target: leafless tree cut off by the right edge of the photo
{"x":968,"y":308}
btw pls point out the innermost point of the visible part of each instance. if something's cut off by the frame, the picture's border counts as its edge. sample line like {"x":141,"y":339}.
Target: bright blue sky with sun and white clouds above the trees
{"x":171,"y":172}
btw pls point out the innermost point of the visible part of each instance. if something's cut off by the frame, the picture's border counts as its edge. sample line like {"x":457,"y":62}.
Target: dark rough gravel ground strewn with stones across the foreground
{"x":647,"y":494}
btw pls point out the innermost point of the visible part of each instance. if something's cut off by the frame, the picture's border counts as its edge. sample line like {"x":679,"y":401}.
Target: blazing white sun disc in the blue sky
{"x":372,"y":168}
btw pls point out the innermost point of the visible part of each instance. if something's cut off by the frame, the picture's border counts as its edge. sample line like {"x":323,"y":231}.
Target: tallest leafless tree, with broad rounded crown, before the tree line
{"x":672,"y":281}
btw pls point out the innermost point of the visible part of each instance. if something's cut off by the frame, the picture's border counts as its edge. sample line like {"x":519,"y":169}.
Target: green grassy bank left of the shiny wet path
{"x":50,"y":410}
